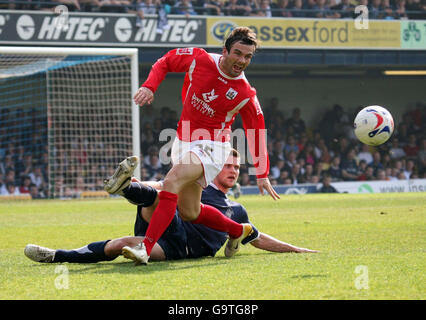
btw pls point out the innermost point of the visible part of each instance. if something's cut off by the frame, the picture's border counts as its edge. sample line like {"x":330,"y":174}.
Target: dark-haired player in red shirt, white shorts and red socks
{"x":215,"y":90}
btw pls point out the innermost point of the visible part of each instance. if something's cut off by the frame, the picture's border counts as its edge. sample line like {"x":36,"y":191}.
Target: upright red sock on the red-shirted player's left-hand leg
{"x":161,"y":218}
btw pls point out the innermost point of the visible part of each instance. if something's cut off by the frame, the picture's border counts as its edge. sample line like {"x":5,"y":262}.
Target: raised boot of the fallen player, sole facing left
{"x":122,"y":176}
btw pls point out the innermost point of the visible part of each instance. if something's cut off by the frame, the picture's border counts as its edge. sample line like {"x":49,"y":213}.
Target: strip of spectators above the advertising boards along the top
{"x":378,"y":9}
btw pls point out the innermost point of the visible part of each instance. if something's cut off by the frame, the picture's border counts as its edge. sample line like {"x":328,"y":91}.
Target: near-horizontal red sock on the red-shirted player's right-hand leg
{"x":213,"y":218}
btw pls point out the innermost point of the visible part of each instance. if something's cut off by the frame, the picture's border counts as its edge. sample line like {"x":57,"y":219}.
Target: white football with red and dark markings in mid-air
{"x":373,"y":125}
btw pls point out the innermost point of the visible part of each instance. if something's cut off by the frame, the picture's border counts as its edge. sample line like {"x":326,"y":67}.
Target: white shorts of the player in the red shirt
{"x":212,"y":154}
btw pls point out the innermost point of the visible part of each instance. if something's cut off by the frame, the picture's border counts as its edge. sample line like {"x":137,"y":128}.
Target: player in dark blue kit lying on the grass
{"x":182,"y":239}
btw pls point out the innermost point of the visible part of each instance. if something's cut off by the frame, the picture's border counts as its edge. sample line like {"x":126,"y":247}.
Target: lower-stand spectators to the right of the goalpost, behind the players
{"x":301,"y":154}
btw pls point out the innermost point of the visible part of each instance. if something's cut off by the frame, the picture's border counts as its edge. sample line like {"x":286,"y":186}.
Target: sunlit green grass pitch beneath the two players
{"x":383,"y":235}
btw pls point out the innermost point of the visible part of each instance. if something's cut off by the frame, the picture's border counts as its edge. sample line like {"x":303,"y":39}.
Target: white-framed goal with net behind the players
{"x":67,"y":116}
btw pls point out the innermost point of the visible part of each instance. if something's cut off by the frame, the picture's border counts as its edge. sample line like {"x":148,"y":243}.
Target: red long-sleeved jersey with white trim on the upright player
{"x":211,"y":100}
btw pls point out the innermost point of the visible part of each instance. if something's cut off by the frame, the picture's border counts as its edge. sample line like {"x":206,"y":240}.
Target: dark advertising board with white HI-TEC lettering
{"x":69,"y":27}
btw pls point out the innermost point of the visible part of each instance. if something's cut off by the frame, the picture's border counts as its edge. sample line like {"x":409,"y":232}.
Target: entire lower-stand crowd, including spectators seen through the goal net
{"x":327,"y":152}
